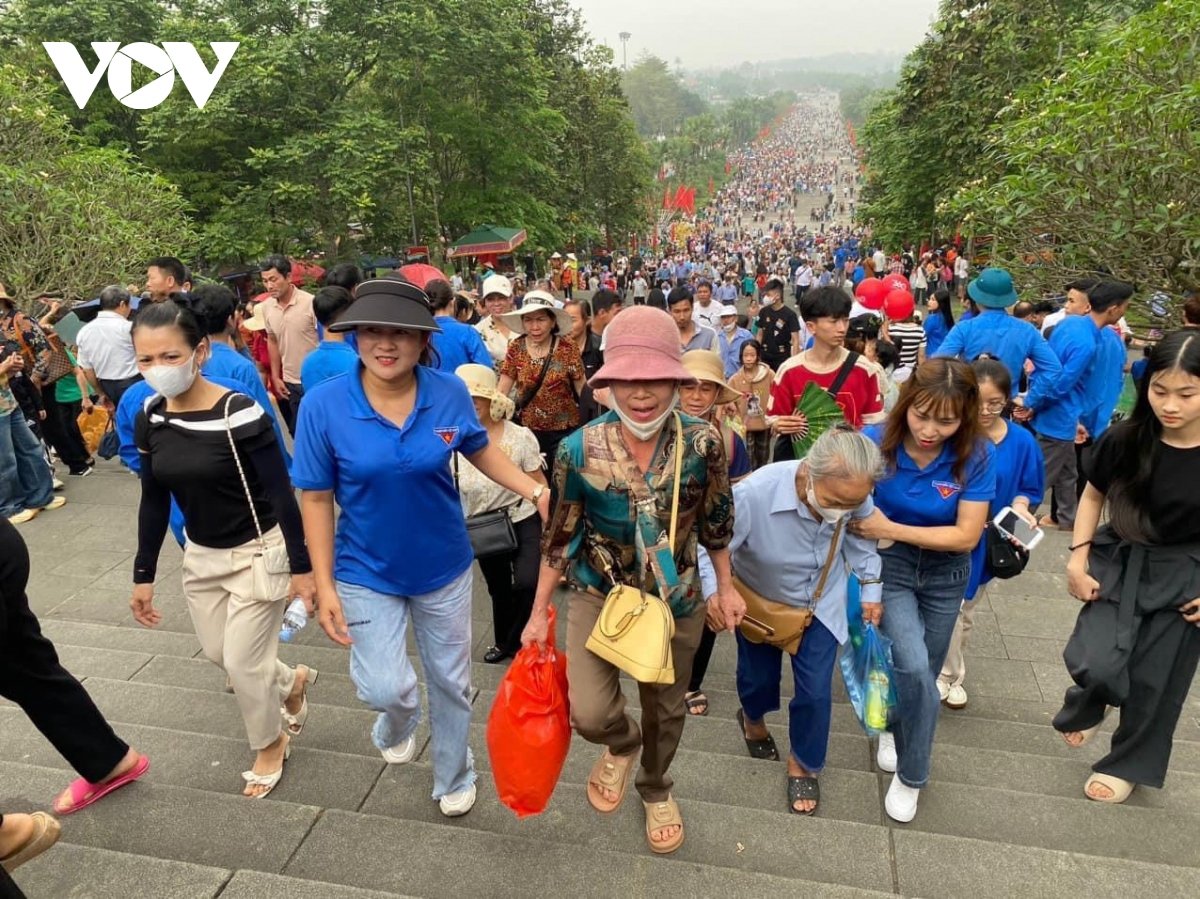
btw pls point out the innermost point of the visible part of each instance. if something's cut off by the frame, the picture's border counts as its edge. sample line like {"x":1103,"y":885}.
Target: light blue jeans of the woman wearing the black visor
{"x":386,"y":680}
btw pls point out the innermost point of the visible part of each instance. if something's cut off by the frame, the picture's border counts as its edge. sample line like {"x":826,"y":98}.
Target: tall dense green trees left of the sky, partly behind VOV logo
{"x":331,"y":111}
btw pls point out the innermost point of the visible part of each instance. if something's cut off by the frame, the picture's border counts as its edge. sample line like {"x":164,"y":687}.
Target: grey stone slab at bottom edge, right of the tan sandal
{"x":75,"y":872}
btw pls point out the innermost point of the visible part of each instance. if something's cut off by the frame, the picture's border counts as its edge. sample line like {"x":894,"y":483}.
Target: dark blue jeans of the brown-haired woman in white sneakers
{"x":922,"y":596}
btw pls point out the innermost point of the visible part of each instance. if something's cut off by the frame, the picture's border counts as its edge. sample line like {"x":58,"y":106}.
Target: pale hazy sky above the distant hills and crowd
{"x":719,"y":33}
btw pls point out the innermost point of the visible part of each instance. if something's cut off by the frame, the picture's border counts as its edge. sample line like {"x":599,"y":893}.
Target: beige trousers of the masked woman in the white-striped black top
{"x":242,"y":636}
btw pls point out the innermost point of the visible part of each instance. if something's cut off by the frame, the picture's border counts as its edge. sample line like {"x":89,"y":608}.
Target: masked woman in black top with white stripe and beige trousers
{"x":236,"y":568}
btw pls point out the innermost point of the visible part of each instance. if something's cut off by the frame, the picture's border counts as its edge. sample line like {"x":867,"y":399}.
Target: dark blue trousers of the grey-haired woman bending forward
{"x":812,"y":709}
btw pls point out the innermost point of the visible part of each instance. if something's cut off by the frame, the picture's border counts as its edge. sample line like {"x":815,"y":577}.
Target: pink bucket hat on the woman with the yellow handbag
{"x":643,"y":344}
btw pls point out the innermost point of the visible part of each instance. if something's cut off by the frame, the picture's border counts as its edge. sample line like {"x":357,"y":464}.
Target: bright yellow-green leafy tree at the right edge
{"x":1105,"y":159}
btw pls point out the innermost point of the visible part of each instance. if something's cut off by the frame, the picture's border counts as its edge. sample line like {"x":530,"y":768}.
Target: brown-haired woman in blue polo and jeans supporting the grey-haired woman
{"x":931,"y":511}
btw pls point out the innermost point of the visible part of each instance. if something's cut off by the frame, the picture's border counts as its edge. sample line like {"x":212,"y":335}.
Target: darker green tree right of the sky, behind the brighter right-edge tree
{"x":928,"y":137}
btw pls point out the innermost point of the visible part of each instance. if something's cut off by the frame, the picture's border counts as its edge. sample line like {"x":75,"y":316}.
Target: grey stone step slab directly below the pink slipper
{"x":172,"y":823}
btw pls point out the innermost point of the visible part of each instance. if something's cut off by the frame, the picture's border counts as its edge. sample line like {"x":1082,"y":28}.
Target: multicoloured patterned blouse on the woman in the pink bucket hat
{"x":596,"y":510}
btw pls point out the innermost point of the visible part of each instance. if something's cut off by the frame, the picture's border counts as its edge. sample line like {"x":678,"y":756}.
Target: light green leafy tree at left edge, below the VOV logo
{"x":75,"y":217}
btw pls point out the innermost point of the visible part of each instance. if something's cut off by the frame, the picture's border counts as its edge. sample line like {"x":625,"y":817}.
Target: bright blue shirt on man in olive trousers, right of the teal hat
{"x":1061,"y":403}
